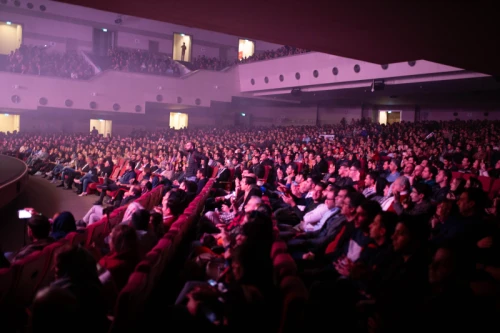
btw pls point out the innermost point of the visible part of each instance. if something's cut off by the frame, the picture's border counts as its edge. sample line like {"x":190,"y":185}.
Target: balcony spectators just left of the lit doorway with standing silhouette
{"x":142,"y":61}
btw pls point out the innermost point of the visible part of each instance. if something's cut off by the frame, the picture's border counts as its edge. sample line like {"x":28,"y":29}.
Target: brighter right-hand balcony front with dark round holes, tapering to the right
{"x":320,"y":71}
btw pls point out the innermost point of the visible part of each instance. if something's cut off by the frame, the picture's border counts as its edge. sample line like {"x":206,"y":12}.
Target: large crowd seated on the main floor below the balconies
{"x":391,"y":227}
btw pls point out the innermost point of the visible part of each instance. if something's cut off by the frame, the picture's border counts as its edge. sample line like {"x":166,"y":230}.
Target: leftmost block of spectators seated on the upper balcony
{"x":38,"y":60}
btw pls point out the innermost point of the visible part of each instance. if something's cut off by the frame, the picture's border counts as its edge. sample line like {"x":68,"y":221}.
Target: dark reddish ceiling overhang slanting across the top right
{"x":455,"y":33}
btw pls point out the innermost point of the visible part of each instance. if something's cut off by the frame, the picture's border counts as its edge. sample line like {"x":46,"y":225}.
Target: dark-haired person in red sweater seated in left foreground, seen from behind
{"x":123,"y":255}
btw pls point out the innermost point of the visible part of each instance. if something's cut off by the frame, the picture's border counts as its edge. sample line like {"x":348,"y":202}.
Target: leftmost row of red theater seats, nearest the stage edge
{"x":20,"y":282}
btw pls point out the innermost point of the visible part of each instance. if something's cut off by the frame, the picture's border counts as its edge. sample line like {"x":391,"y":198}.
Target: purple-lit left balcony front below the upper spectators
{"x":116,"y":91}
